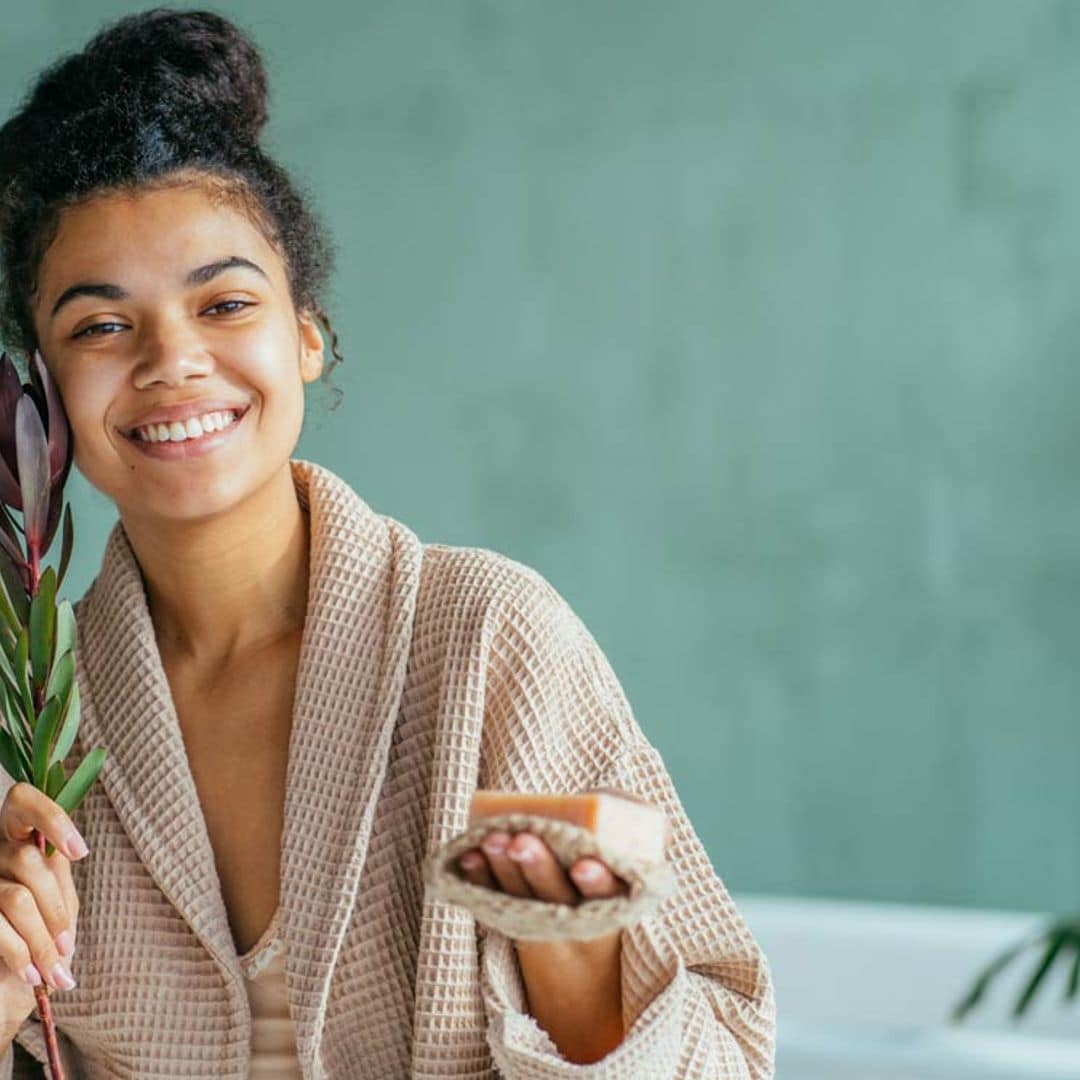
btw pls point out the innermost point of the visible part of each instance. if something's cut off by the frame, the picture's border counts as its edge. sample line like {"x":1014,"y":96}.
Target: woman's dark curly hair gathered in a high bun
{"x":159,"y":99}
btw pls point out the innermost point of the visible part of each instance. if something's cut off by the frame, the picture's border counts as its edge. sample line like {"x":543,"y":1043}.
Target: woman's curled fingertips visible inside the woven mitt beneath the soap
{"x":523,"y":866}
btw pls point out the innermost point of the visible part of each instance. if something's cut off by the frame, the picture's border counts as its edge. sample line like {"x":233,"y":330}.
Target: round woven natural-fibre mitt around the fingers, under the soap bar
{"x":531,"y":920}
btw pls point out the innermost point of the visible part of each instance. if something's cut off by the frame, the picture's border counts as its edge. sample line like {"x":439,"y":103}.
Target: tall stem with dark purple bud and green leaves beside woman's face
{"x":39,"y":694}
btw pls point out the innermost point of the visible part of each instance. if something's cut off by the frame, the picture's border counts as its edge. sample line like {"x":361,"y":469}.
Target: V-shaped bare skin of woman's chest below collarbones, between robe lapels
{"x":236,"y":733}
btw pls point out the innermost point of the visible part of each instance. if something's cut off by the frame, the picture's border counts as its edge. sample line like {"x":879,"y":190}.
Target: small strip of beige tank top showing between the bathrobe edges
{"x":274,"y":1036}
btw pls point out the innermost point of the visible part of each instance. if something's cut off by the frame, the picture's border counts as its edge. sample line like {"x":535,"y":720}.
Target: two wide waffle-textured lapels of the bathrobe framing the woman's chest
{"x":364,"y":575}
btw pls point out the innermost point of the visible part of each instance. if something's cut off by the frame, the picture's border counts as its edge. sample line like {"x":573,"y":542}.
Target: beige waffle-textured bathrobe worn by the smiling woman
{"x":426,"y":671}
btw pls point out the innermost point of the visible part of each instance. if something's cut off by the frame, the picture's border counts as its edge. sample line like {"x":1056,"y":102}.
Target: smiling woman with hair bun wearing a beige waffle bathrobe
{"x":299,"y":698}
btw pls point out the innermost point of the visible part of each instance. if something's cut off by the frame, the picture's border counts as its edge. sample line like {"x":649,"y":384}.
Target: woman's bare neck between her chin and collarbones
{"x":221,"y":590}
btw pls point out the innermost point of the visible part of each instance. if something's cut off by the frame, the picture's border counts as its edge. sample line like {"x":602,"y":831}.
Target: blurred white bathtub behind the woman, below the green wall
{"x":865,"y":991}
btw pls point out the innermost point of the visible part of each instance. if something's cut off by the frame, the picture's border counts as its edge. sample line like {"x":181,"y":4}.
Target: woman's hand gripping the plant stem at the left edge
{"x":38,"y":902}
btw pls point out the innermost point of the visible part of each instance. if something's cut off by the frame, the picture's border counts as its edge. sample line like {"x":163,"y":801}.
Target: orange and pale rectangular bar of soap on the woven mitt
{"x":625,"y":825}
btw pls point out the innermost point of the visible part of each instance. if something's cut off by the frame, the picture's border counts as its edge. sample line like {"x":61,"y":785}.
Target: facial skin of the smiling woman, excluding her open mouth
{"x":153,"y":332}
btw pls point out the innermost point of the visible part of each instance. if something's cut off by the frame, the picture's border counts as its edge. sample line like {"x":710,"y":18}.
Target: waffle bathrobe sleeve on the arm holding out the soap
{"x":697,"y":991}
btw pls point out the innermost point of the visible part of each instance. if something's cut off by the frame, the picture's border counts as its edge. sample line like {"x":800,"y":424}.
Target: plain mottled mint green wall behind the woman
{"x":755,"y":329}
